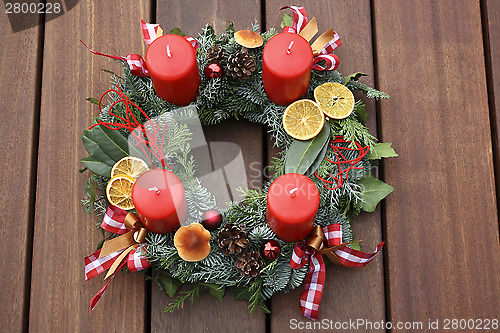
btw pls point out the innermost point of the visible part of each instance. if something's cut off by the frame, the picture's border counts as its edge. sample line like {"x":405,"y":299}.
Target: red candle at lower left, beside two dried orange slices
{"x":158,"y":197}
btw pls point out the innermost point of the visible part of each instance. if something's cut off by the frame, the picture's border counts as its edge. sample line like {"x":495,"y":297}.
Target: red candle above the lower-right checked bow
{"x":292,"y":203}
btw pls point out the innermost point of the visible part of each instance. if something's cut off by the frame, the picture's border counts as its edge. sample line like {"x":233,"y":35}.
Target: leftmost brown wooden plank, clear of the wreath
{"x":20,"y":93}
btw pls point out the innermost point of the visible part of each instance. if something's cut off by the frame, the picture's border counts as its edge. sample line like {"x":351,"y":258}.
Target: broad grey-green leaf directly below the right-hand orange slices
{"x":302,"y":154}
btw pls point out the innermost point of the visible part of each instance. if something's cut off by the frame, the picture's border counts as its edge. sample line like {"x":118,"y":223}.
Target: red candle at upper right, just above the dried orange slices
{"x":286,"y":67}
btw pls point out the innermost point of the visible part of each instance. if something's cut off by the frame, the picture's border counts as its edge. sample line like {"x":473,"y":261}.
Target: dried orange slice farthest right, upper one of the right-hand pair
{"x":336,"y":100}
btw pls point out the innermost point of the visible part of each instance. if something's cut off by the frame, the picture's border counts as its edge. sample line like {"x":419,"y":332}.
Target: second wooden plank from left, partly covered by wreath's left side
{"x":64,"y":233}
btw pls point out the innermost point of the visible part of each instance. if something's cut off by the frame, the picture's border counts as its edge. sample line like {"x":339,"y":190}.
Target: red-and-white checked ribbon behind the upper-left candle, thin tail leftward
{"x":135,"y":62}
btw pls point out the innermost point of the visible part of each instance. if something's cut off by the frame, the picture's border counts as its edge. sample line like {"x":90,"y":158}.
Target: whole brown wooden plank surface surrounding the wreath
{"x":439,"y":61}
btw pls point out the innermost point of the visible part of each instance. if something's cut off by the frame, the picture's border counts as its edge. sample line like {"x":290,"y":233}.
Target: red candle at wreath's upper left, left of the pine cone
{"x":171,"y":62}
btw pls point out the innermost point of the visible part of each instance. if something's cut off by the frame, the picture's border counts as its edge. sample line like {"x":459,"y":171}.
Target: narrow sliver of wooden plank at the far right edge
{"x":491,"y":28}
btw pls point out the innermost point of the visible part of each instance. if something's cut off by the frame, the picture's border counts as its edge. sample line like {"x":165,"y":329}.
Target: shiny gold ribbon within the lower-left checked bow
{"x":129,"y":241}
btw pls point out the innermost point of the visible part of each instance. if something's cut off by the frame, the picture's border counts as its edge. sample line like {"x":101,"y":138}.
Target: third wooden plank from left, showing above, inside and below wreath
{"x":231,"y":315}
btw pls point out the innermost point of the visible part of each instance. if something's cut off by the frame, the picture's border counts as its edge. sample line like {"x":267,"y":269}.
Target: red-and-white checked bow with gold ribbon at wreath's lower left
{"x":118,"y":252}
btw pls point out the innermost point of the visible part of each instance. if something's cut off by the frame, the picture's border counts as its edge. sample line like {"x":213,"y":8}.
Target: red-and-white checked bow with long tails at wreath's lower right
{"x":312,"y":249}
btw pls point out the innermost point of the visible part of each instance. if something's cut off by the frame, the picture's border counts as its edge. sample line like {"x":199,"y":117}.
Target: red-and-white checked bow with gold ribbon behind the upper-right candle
{"x":323,"y":46}
